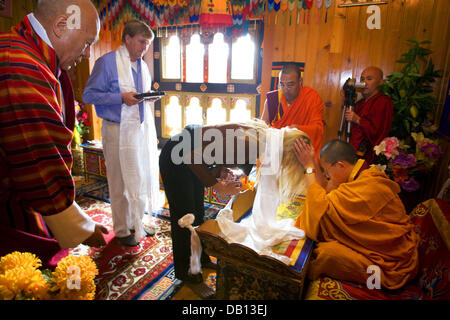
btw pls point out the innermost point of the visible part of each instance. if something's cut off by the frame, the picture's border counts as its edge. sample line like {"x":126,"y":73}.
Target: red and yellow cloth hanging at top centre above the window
{"x":215,"y":14}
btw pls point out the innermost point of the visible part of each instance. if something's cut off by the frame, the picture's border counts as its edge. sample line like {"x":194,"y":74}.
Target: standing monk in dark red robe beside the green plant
{"x":372,"y":118}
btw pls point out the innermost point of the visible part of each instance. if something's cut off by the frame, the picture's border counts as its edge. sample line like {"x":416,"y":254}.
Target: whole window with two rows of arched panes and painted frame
{"x":208,"y":78}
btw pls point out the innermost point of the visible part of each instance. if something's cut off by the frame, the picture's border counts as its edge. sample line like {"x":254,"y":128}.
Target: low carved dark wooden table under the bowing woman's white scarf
{"x":245,"y":275}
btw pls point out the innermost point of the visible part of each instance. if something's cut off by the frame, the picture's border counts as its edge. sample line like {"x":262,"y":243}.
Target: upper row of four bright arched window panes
{"x":227,"y":60}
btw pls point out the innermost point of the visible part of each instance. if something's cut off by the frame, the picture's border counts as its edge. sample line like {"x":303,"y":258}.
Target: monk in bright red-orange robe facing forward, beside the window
{"x":295,"y":105}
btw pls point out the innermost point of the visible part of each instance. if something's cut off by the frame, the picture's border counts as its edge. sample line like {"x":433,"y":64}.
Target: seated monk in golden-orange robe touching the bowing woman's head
{"x":360,"y":223}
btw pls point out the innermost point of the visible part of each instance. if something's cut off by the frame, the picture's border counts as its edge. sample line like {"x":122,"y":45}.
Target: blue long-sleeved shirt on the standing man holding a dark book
{"x":102,"y":89}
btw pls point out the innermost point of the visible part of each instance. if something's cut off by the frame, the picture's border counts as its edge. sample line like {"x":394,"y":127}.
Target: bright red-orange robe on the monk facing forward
{"x":306,"y":112}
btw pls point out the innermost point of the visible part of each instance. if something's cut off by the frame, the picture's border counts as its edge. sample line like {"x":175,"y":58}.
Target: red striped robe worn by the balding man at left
{"x":35,"y":155}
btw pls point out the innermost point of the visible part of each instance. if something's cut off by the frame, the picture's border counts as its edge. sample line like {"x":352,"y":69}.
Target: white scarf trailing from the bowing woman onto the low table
{"x":262,"y":230}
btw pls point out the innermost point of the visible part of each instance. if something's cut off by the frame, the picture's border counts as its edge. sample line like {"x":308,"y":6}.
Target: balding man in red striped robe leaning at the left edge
{"x":38,"y":213}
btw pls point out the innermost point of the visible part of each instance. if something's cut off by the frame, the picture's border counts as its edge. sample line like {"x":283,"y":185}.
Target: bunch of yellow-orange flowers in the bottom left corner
{"x":20,"y":278}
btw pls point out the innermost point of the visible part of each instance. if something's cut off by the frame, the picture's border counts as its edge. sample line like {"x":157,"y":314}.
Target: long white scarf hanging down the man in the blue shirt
{"x":137,"y":146}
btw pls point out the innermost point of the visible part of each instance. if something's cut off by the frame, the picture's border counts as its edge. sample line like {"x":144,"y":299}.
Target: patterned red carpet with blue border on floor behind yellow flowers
{"x":124,"y":273}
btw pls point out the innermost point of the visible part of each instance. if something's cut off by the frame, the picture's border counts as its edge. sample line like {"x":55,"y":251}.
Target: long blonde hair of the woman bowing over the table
{"x":290,"y":180}
